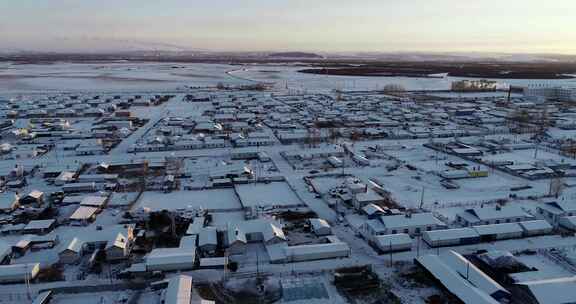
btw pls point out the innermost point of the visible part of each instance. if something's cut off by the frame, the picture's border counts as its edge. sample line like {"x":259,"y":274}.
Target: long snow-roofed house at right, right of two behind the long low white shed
{"x":493,"y":215}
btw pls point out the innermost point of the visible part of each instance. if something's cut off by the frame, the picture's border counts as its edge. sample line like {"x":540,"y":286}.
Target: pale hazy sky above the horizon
{"x":512,"y":26}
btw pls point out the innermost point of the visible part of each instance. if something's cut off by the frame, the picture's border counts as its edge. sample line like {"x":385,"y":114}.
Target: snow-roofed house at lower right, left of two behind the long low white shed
{"x":412,"y":224}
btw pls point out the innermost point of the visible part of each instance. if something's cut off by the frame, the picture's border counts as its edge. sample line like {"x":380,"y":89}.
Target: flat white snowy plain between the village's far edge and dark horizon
{"x":134,"y":77}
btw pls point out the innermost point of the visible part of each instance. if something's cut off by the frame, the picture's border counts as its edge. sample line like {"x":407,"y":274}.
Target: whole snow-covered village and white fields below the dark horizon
{"x":242,"y":191}
